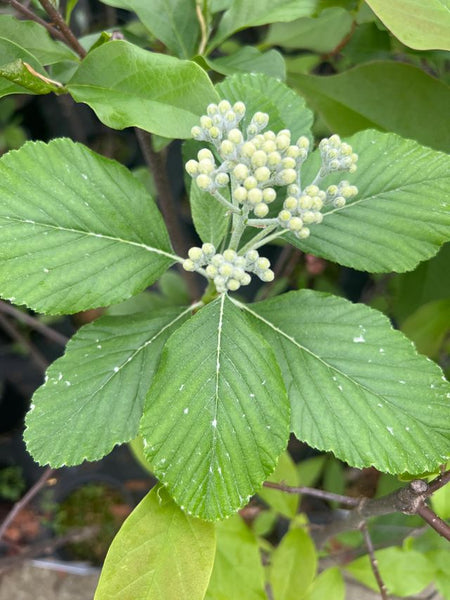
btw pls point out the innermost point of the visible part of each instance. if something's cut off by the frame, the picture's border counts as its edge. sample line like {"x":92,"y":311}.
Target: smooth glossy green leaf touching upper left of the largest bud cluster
{"x":127,"y":86}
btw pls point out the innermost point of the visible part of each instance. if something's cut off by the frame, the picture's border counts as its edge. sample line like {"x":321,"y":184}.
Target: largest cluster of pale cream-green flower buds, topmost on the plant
{"x":255,"y":162}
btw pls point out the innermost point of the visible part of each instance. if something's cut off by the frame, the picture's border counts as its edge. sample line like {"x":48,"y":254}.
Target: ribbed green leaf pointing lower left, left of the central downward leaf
{"x":95,"y":393}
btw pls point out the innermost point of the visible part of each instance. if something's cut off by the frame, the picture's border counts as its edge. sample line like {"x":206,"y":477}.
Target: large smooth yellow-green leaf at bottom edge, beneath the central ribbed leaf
{"x":159,"y":552}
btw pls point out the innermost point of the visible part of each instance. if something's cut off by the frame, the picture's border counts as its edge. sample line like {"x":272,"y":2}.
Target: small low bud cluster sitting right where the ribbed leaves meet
{"x":228,"y":270}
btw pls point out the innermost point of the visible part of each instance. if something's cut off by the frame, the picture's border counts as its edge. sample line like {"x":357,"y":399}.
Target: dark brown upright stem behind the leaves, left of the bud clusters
{"x":166,"y":203}
